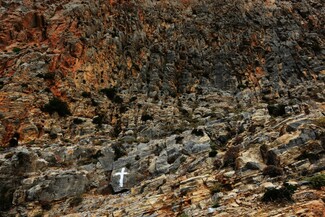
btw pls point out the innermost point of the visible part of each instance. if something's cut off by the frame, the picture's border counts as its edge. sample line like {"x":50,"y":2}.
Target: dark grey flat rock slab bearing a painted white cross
{"x":122,"y":179}
